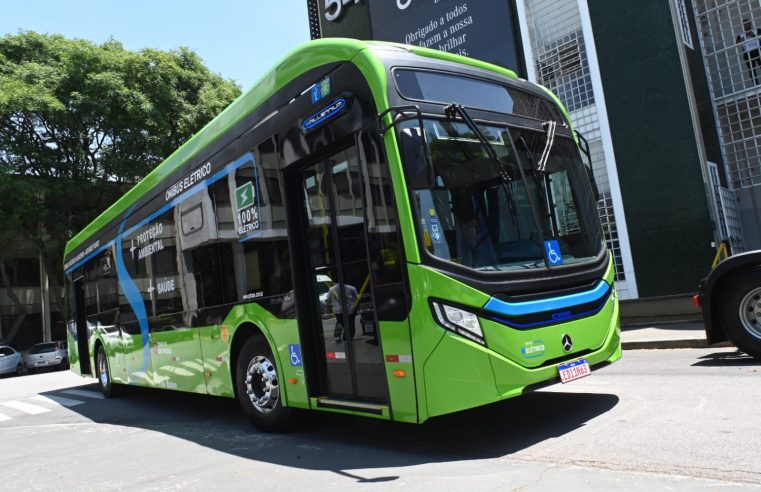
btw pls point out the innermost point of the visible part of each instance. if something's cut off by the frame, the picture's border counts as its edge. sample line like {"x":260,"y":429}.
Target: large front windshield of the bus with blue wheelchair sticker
{"x":508,"y":214}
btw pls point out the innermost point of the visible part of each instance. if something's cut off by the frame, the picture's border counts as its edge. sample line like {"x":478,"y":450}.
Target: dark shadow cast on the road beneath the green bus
{"x":325,"y":441}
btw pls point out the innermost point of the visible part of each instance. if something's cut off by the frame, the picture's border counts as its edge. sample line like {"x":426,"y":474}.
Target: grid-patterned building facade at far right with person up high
{"x":733,"y":69}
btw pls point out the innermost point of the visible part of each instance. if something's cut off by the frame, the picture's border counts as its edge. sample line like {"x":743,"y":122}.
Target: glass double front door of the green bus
{"x":340,"y":304}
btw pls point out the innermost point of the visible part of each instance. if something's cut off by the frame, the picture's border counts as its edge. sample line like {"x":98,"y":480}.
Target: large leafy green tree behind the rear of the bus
{"x":80,"y":122}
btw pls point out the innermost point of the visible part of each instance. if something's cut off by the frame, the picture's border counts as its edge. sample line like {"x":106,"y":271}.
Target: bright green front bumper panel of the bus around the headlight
{"x":459,"y":374}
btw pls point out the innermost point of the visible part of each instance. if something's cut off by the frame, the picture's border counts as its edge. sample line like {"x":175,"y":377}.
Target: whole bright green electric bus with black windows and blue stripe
{"x":373,"y":229}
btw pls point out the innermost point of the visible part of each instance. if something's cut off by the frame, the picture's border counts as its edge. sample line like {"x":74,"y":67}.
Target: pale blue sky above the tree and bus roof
{"x":238,"y":39}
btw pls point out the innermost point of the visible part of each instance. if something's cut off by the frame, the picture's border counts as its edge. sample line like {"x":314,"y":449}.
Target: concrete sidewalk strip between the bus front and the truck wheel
{"x":664,"y":335}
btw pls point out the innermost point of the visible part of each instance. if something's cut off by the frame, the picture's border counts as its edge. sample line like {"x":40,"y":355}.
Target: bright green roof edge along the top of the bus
{"x":298,"y":61}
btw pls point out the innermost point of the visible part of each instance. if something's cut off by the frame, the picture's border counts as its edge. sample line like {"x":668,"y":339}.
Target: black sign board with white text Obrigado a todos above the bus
{"x":486,"y":30}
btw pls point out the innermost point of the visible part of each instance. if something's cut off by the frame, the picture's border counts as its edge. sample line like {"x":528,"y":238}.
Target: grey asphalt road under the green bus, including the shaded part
{"x":657,"y":420}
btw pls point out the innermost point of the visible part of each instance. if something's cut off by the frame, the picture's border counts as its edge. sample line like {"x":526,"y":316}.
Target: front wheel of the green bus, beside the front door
{"x":257,"y":380}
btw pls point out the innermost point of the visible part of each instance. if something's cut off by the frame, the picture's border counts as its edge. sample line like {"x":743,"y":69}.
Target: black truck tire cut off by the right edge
{"x":740,"y":306}
